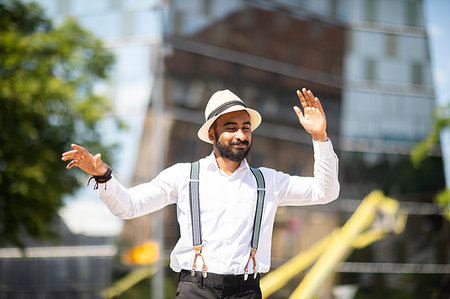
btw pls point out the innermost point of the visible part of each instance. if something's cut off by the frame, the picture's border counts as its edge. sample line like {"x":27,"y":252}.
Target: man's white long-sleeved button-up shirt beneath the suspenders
{"x":227,"y":207}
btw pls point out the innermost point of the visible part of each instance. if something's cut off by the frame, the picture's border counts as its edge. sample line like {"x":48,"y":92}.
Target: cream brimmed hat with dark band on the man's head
{"x":221,"y":102}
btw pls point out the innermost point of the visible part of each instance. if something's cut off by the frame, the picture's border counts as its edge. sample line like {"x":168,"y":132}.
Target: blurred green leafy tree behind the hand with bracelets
{"x":46,"y":102}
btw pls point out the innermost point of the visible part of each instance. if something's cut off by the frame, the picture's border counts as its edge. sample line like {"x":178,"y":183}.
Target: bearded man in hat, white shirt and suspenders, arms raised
{"x":228,"y":196}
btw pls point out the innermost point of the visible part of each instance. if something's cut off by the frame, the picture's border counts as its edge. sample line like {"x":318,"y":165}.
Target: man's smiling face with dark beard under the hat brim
{"x":232,"y":135}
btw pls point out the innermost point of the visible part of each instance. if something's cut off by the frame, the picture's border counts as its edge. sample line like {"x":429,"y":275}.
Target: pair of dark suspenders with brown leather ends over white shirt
{"x":195,"y":218}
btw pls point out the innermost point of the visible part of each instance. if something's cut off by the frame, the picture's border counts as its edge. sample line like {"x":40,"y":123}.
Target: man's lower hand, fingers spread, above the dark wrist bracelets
{"x":85,"y":161}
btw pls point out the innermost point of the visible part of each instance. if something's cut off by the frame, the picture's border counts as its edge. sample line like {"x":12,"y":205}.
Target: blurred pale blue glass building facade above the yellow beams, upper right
{"x":388,"y":96}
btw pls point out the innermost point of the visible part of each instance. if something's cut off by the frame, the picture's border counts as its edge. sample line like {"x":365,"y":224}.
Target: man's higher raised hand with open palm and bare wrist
{"x":314,"y":120}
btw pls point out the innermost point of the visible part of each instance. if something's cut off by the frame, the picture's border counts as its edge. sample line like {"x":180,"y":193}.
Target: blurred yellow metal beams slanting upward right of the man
{"x":376,"y":216}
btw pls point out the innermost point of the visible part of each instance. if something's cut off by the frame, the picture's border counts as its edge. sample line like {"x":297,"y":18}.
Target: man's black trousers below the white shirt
{"x":217,"y":286}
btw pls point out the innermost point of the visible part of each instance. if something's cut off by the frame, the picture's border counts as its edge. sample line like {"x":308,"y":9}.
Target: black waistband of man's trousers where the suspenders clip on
{"x":221,"y":281}
